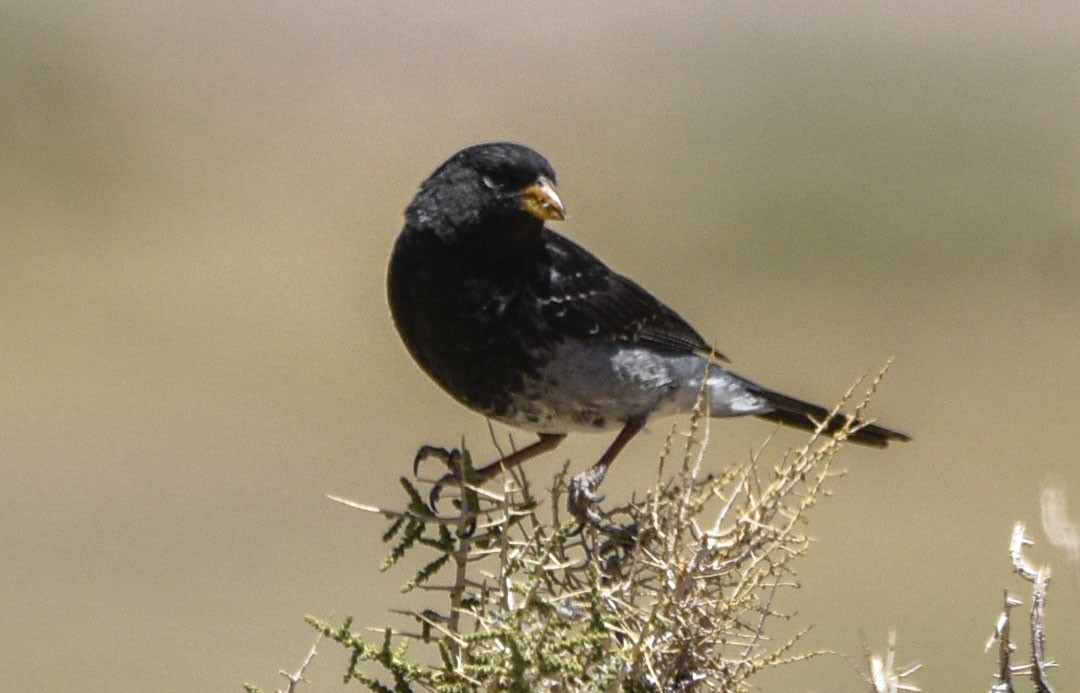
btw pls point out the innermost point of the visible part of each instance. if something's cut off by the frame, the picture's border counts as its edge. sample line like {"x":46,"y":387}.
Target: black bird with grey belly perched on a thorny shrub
{"x":524,"y":327}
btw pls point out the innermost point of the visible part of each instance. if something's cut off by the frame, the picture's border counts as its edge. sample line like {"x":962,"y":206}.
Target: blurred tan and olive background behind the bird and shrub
{"x":198,"y":205}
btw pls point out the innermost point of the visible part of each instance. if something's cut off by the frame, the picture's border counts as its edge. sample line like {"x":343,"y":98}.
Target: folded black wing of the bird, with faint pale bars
{"x":583,"y":297}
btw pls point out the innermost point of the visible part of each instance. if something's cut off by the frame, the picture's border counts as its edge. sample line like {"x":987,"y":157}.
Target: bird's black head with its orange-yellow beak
{"x":490,"y":183}
